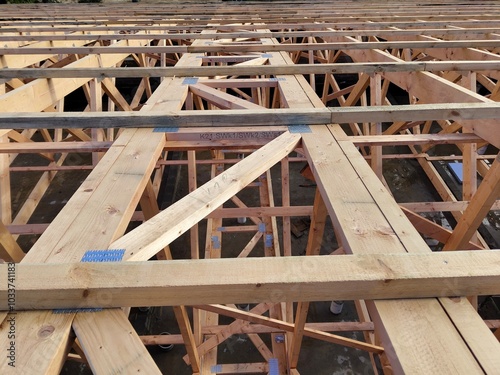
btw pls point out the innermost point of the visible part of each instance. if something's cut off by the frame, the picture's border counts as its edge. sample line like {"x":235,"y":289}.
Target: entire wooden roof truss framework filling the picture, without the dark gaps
{"x":244,"y":87}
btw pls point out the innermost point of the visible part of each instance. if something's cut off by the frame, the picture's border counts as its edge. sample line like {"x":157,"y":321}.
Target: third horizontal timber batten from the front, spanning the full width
{"x":204,"y":71}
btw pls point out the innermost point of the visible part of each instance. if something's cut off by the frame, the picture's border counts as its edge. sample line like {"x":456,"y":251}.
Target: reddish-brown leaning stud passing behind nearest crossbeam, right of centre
{"x":314,"y":241}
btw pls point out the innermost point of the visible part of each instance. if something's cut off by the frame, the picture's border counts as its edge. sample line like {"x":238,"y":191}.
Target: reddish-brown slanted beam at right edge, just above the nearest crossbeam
{"x":486,"y":194}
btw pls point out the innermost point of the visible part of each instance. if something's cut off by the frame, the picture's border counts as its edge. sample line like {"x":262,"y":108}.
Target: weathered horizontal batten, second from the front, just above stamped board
{"x":264,"y":117}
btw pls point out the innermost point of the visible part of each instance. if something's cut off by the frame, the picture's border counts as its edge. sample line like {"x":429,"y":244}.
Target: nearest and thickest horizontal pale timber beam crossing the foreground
{"x":206,"y":281}
